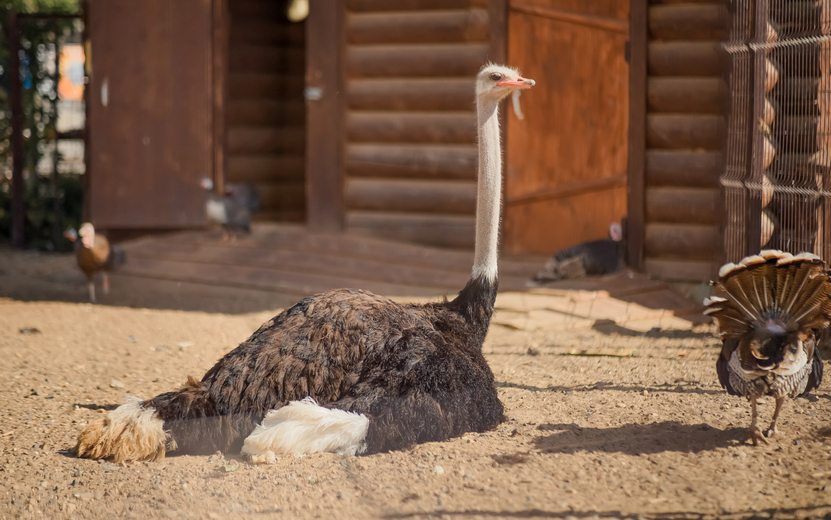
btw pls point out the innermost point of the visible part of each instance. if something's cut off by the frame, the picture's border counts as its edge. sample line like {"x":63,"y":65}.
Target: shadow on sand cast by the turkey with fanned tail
{"x":637,"y":439}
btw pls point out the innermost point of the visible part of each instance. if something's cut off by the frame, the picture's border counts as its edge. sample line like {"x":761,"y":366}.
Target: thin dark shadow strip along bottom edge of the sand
{"x":810,"y":512}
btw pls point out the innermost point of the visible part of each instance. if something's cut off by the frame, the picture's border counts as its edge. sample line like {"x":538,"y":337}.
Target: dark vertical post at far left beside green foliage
{"x":15,"y":100}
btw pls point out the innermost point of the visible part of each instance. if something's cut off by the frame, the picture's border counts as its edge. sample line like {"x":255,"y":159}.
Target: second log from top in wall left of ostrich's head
{"x":468,"y":25}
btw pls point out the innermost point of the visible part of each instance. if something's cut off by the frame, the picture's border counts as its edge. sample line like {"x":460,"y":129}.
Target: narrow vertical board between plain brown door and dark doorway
{"x":220,"y":24}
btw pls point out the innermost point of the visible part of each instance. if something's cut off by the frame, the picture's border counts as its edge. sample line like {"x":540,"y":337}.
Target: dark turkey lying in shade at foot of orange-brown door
{"x":597,"y":257}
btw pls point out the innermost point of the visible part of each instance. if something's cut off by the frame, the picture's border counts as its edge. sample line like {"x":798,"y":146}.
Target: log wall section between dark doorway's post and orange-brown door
{"x":409,"y":152}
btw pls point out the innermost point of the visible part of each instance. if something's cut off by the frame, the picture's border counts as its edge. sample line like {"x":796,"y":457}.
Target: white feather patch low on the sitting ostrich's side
{"x":304,"y":427}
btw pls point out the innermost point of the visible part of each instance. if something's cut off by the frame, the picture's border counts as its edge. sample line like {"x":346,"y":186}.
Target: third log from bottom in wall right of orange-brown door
{"x":683,"y":205}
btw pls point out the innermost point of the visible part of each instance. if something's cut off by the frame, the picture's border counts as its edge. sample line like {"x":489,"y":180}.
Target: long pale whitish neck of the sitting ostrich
{"x":488,"y":197}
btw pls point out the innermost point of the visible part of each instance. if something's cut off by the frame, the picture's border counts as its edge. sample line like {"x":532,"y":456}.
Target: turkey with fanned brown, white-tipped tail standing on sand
{"x":770,"y":309}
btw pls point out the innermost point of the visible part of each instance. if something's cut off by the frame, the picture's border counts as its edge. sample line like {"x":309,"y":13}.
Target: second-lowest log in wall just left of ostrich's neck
{"x":414,"y":196}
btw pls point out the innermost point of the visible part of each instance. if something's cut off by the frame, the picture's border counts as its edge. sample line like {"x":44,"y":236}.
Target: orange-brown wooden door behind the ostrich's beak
{"x":566,"y":161}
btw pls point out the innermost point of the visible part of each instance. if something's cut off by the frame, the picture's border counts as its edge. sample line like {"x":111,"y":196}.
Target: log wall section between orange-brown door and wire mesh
{"x":681,"y":236}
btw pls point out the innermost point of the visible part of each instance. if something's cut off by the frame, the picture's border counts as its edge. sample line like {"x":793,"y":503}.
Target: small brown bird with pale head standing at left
{"x":95,"y":255}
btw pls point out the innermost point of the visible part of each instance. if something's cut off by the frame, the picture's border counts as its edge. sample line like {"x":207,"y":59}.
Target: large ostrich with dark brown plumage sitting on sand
{"x":344,"y":371}
